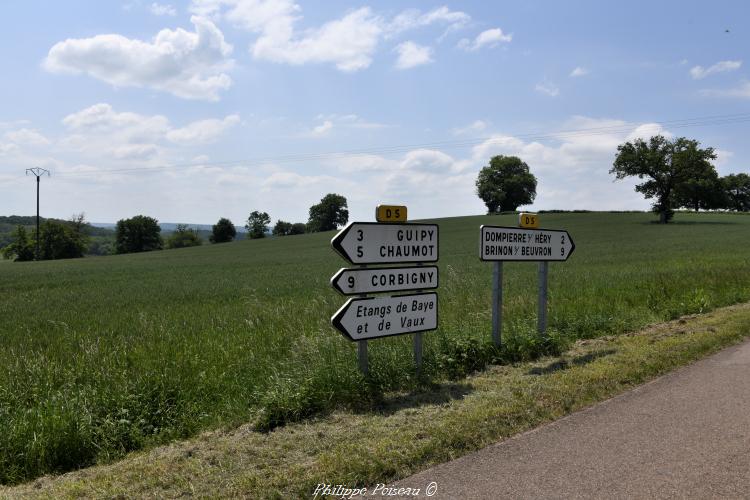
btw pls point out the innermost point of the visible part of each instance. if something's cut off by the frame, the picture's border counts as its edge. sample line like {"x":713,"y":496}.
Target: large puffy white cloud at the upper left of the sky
{"x":186,"y":64}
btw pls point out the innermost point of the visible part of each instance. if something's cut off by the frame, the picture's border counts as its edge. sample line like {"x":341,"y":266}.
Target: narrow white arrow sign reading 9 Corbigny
{"x":385,"y":279}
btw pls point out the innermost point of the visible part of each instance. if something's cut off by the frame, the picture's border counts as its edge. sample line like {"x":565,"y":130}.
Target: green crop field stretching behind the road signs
{"x":101,"y":356}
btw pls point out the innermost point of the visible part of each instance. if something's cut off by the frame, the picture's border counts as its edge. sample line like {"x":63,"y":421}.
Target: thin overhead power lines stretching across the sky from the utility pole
{"x":453,"y":144}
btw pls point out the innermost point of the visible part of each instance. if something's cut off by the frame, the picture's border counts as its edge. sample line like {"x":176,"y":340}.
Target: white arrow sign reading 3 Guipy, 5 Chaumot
{"x":375,"y":243}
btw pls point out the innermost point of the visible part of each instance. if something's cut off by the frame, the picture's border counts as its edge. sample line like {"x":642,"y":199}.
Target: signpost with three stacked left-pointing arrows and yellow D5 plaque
{"x":388,"y":241}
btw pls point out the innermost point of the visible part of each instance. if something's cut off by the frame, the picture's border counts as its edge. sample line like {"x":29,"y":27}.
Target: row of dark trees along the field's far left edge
{"x":141,"y":233}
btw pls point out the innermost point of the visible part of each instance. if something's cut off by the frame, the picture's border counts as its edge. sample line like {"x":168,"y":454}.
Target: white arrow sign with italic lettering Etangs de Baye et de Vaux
{"x":368,"y":318}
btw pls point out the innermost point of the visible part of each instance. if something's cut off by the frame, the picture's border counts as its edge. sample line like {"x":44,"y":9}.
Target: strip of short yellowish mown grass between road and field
{"x":408,"y":431}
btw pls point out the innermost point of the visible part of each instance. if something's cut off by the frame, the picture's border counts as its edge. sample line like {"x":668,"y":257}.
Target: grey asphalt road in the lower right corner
{"x":686,"y":434}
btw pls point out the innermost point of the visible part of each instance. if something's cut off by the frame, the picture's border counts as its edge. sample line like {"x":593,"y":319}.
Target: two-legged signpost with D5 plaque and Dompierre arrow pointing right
{"x":498,"y":244}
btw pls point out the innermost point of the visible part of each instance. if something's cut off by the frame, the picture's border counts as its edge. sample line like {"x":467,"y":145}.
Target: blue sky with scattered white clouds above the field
{"x":190,"y":111}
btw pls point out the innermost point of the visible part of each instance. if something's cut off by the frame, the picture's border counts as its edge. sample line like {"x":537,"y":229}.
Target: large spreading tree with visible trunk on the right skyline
{"x":667,"y":165}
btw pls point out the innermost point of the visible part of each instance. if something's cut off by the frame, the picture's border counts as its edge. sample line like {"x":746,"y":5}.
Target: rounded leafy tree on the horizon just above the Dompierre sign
{"x":506,"y":184}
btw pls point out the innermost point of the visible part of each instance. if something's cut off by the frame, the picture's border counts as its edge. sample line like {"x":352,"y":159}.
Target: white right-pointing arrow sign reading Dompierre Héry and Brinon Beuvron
{"x":512,"y":243}
